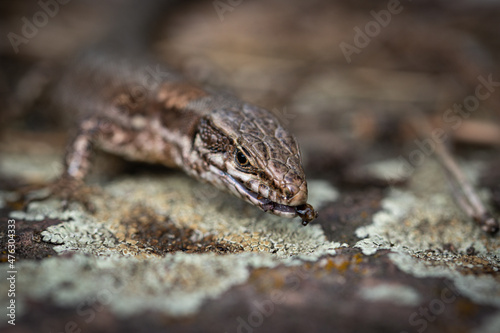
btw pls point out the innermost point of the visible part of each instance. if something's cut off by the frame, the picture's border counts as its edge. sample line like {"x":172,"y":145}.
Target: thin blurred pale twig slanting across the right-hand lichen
{"x":462,"y":189}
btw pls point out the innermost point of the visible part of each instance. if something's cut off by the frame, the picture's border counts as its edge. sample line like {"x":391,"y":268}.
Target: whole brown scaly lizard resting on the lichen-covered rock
{"x":127,"y":104}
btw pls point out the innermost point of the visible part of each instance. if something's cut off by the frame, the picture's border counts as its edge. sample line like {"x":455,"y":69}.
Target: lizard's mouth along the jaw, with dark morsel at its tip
{"x":304,"y":211}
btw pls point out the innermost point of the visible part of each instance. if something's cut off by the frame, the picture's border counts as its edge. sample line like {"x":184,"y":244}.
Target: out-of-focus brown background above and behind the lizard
{"x":344,"y":76}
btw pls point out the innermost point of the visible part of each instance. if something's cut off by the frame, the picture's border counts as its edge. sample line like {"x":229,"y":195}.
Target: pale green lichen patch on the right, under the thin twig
{"x":429,"y":236}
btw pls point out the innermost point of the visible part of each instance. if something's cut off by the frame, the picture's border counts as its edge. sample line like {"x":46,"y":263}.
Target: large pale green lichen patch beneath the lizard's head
{"x":103,"y":269}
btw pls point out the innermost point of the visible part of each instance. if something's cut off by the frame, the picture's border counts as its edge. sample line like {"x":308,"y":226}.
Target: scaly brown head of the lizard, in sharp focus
{"x":248,"y":152}
